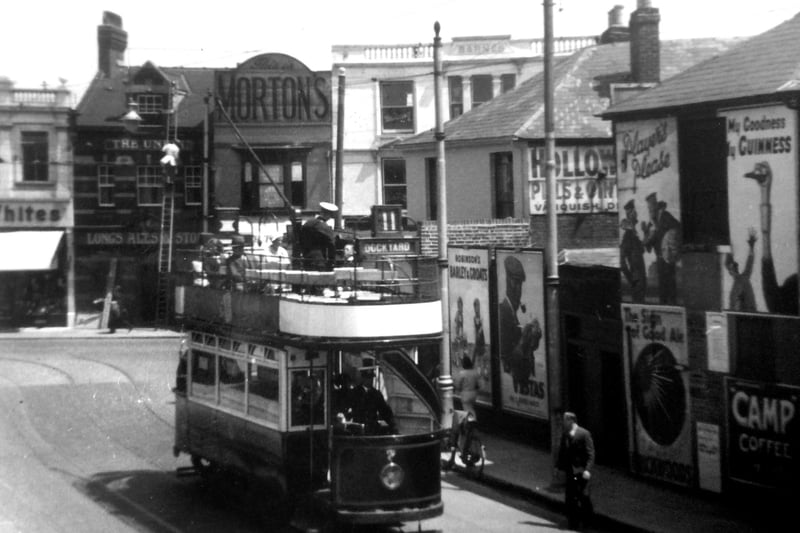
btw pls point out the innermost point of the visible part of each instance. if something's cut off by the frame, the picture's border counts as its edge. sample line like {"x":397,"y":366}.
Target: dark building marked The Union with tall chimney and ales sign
{"x":122,"y":189}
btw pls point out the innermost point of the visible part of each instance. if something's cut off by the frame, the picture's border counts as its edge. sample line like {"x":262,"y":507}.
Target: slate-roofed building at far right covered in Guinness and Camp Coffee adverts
{"x":708,"y":167}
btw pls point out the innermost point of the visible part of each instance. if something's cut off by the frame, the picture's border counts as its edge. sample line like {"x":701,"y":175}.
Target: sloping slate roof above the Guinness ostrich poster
{"x":763,"y":65}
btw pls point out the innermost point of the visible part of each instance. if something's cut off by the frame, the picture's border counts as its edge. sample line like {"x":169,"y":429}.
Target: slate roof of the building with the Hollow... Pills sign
{"x":581,"y":93}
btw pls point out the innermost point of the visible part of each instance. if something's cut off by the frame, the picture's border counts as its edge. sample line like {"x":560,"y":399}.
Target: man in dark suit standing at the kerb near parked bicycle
{"x":576,"y":460}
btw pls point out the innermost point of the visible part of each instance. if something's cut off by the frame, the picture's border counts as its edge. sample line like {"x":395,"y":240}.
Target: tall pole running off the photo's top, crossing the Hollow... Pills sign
{"x":554,"y":366}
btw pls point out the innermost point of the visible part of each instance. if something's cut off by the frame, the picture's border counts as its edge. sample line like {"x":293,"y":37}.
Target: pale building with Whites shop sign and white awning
{"x":36,"y":211}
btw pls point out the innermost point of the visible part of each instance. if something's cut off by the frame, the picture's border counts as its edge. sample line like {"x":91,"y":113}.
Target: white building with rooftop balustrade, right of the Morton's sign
{"x":389,"y":96}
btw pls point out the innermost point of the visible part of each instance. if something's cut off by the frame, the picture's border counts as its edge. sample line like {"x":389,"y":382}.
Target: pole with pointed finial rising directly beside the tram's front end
{"x":445,"y":379}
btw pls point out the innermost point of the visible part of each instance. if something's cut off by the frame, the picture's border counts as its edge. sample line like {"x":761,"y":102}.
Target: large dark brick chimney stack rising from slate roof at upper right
{"x":645,"y":46}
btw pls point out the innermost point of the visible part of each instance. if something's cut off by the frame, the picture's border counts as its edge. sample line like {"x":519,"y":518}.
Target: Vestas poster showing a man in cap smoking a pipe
{"x":520,"y":332}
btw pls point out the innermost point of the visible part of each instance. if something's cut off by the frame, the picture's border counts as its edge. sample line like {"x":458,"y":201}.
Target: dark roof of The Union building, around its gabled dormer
{"x":105,"y":100}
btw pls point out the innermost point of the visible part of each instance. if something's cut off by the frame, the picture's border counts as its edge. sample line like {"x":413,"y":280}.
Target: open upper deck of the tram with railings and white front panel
{"x":391,"y":297}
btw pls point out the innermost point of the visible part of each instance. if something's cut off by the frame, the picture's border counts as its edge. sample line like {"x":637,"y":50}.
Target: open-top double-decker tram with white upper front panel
{"x":307,"y":383}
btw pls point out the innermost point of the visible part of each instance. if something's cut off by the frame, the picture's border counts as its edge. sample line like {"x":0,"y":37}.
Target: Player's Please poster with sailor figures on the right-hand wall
{"x":649,"y":199}
